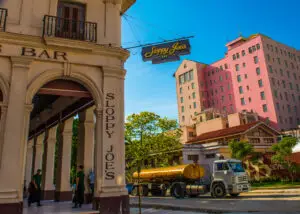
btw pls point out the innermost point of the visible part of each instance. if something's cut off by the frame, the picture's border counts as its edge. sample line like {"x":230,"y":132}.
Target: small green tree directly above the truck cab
{"x":240,"y":149}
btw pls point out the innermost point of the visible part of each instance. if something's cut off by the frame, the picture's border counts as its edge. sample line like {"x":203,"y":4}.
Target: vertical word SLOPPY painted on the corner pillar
{"x":110,"y":114}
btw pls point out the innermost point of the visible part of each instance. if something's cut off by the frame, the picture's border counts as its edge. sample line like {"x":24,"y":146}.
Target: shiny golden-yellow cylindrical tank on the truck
{"x":189,"y":171}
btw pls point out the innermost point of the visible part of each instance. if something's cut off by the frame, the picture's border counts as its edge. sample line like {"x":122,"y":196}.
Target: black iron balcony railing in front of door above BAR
{"x":69,"y":29}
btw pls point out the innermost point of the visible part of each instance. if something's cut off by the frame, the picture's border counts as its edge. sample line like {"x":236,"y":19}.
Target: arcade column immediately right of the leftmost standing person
{"x":48,"y":171}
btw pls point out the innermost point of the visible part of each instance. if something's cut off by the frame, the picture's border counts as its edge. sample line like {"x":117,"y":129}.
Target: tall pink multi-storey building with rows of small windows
{"x":257,"y":74}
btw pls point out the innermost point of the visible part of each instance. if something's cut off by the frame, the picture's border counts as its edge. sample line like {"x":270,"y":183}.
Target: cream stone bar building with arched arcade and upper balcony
{"x":59,"y":58}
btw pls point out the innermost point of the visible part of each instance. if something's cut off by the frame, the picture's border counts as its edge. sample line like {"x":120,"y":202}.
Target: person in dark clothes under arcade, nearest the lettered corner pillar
{"x":79,"y":193}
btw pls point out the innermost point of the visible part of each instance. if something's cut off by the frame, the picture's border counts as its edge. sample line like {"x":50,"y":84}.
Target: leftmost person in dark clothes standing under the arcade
{"x":34,"y":189}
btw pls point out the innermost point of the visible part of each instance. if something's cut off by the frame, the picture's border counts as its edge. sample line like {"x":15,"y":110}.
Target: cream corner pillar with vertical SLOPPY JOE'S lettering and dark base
{"x":111,"y":191}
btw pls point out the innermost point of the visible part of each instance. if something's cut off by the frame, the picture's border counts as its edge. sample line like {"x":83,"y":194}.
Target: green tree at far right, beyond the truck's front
{"x":283,"y":152}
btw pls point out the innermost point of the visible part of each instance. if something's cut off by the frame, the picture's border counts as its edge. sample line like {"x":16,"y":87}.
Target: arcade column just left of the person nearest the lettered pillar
{"x":63,"y":187}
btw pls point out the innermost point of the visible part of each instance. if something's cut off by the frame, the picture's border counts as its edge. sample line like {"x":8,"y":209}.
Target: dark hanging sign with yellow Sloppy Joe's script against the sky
{"x":166,"y":52}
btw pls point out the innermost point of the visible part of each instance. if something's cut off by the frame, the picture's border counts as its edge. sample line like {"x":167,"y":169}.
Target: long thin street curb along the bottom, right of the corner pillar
{"x":183,"y":208}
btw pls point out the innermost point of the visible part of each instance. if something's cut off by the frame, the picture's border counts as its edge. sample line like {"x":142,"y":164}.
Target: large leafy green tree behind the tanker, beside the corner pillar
{"x":148,"y":137}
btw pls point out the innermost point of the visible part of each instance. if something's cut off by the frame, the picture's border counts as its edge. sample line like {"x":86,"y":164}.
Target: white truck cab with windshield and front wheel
{"x":229,"y":177}
